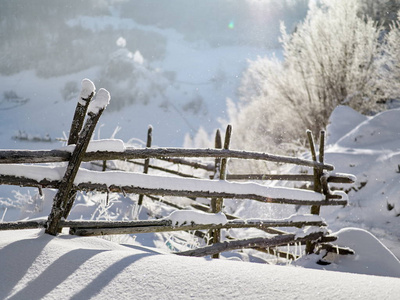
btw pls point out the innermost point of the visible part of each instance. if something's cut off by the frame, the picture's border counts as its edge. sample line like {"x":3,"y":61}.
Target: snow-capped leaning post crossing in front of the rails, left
{"x":61,"y":199}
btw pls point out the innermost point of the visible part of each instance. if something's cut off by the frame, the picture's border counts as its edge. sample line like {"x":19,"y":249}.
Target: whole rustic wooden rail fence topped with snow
{"x":26,"y":168}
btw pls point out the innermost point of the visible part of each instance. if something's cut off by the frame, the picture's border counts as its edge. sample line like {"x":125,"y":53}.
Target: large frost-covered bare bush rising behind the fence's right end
{"x":331,"y":59}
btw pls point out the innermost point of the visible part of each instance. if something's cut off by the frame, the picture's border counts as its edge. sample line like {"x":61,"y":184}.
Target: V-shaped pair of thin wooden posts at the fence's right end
{"x":315,"y":209}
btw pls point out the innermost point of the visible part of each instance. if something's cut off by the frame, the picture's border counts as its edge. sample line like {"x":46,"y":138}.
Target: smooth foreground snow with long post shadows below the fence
{"x":40,"y":266}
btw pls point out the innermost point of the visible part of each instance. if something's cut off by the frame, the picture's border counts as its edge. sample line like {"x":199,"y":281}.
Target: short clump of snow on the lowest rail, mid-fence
{"x":181,"y":217}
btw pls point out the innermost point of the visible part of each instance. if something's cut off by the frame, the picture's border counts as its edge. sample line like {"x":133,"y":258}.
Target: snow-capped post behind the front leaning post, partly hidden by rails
{"x":87,"y":92}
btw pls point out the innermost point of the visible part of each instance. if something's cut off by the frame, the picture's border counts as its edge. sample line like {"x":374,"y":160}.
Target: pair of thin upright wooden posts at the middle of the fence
{"x":217,"y":203}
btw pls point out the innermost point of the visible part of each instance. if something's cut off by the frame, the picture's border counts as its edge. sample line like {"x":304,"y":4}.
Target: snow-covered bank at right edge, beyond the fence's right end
{"x":371,"y":151}
